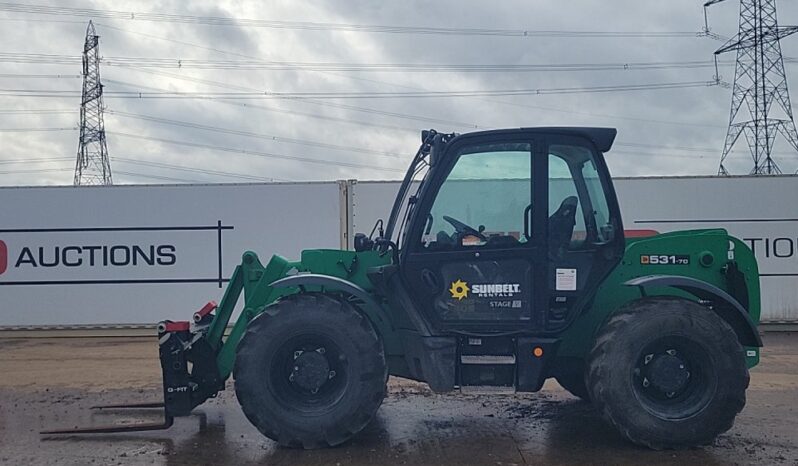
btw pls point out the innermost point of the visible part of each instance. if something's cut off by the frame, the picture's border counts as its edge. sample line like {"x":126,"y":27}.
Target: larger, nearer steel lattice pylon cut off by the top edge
{"x":759,"y":82}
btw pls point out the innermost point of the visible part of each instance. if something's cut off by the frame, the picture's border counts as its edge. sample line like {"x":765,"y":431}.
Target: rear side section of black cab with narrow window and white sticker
{"x":585,"y":234}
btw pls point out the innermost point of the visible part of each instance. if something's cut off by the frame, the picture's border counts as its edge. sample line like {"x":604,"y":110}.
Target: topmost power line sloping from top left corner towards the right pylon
{"x":322,"y":26}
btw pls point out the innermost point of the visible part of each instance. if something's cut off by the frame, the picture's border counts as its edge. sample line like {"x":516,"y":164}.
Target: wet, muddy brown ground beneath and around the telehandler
{"x":52,"y":383}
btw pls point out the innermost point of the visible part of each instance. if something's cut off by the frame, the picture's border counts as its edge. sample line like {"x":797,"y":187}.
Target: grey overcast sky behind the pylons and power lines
{"x":661,"y":132}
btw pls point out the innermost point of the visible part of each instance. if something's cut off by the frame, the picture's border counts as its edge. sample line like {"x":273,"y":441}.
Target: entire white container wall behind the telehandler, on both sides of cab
{"x":139,"y":254}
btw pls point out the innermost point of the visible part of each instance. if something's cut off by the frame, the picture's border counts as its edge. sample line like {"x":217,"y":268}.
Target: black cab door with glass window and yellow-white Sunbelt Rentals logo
{"x":475,"y":255}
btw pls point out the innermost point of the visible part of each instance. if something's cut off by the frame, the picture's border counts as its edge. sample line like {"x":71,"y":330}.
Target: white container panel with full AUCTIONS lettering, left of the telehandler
{"x":139,"y":254}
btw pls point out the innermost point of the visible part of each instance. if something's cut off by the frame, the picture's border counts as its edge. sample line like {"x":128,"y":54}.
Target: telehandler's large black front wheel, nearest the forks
{"x":348,"y":375}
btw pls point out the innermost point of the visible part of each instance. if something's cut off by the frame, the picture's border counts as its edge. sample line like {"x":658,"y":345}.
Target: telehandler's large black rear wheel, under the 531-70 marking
{"x":668,"y":373}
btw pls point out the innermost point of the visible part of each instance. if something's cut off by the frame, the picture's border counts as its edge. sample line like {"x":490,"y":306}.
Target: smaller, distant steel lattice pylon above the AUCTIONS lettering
{"x":92,"y":166}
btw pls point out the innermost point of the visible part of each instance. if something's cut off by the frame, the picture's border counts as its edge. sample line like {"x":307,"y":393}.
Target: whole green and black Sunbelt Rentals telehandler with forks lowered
{"x":503,"y":262}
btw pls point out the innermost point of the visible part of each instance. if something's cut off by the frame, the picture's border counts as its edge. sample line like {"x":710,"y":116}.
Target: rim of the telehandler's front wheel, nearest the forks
{"x":308,"y":373}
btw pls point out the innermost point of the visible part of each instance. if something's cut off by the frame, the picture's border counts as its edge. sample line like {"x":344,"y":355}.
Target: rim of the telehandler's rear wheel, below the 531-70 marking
{"x":673,"y":377}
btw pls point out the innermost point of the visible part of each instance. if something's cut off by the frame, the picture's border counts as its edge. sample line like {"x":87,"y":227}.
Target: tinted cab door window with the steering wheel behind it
{"x":484,"y":200}
